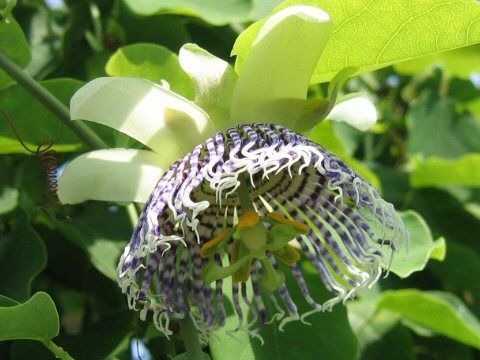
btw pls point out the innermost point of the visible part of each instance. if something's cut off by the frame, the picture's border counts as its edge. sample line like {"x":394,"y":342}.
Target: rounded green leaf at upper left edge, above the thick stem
{"x":14,"y":45}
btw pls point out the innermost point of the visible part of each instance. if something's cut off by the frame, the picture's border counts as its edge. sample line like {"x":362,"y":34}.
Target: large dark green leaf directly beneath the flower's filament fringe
{"x":329,"y":335}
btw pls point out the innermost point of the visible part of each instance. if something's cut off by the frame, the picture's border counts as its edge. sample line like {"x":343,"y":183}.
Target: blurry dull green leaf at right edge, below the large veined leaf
{"x":435,"y":129}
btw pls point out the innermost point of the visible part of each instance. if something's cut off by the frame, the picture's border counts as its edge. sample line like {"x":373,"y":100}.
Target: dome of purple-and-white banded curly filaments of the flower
{"x":352,"y":230}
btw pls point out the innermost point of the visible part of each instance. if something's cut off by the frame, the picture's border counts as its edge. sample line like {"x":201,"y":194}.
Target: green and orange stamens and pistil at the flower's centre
{"x":254,"y":237}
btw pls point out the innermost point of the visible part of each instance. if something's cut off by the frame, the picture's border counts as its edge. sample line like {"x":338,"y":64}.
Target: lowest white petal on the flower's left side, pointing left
{"x":110,"y":175}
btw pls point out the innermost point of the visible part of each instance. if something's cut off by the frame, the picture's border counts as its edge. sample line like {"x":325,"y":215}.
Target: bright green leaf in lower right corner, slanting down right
{"x":440,"y":312}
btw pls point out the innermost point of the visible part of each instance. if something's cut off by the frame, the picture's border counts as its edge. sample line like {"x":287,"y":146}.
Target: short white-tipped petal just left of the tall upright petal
{"x":214,"y":81}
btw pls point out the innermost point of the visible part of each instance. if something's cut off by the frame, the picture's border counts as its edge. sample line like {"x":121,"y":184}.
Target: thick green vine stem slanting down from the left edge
{"x":50,"y":102}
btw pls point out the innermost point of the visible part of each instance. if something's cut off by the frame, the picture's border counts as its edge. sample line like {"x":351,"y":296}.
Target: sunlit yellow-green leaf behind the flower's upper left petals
{"x":152,"y":62}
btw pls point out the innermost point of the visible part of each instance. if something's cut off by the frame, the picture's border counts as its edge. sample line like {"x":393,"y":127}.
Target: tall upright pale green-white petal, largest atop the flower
{"x":280,"y":65}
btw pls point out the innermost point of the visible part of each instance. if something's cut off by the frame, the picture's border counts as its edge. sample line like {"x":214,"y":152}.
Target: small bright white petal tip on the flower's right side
{"x":358,"y":112}
